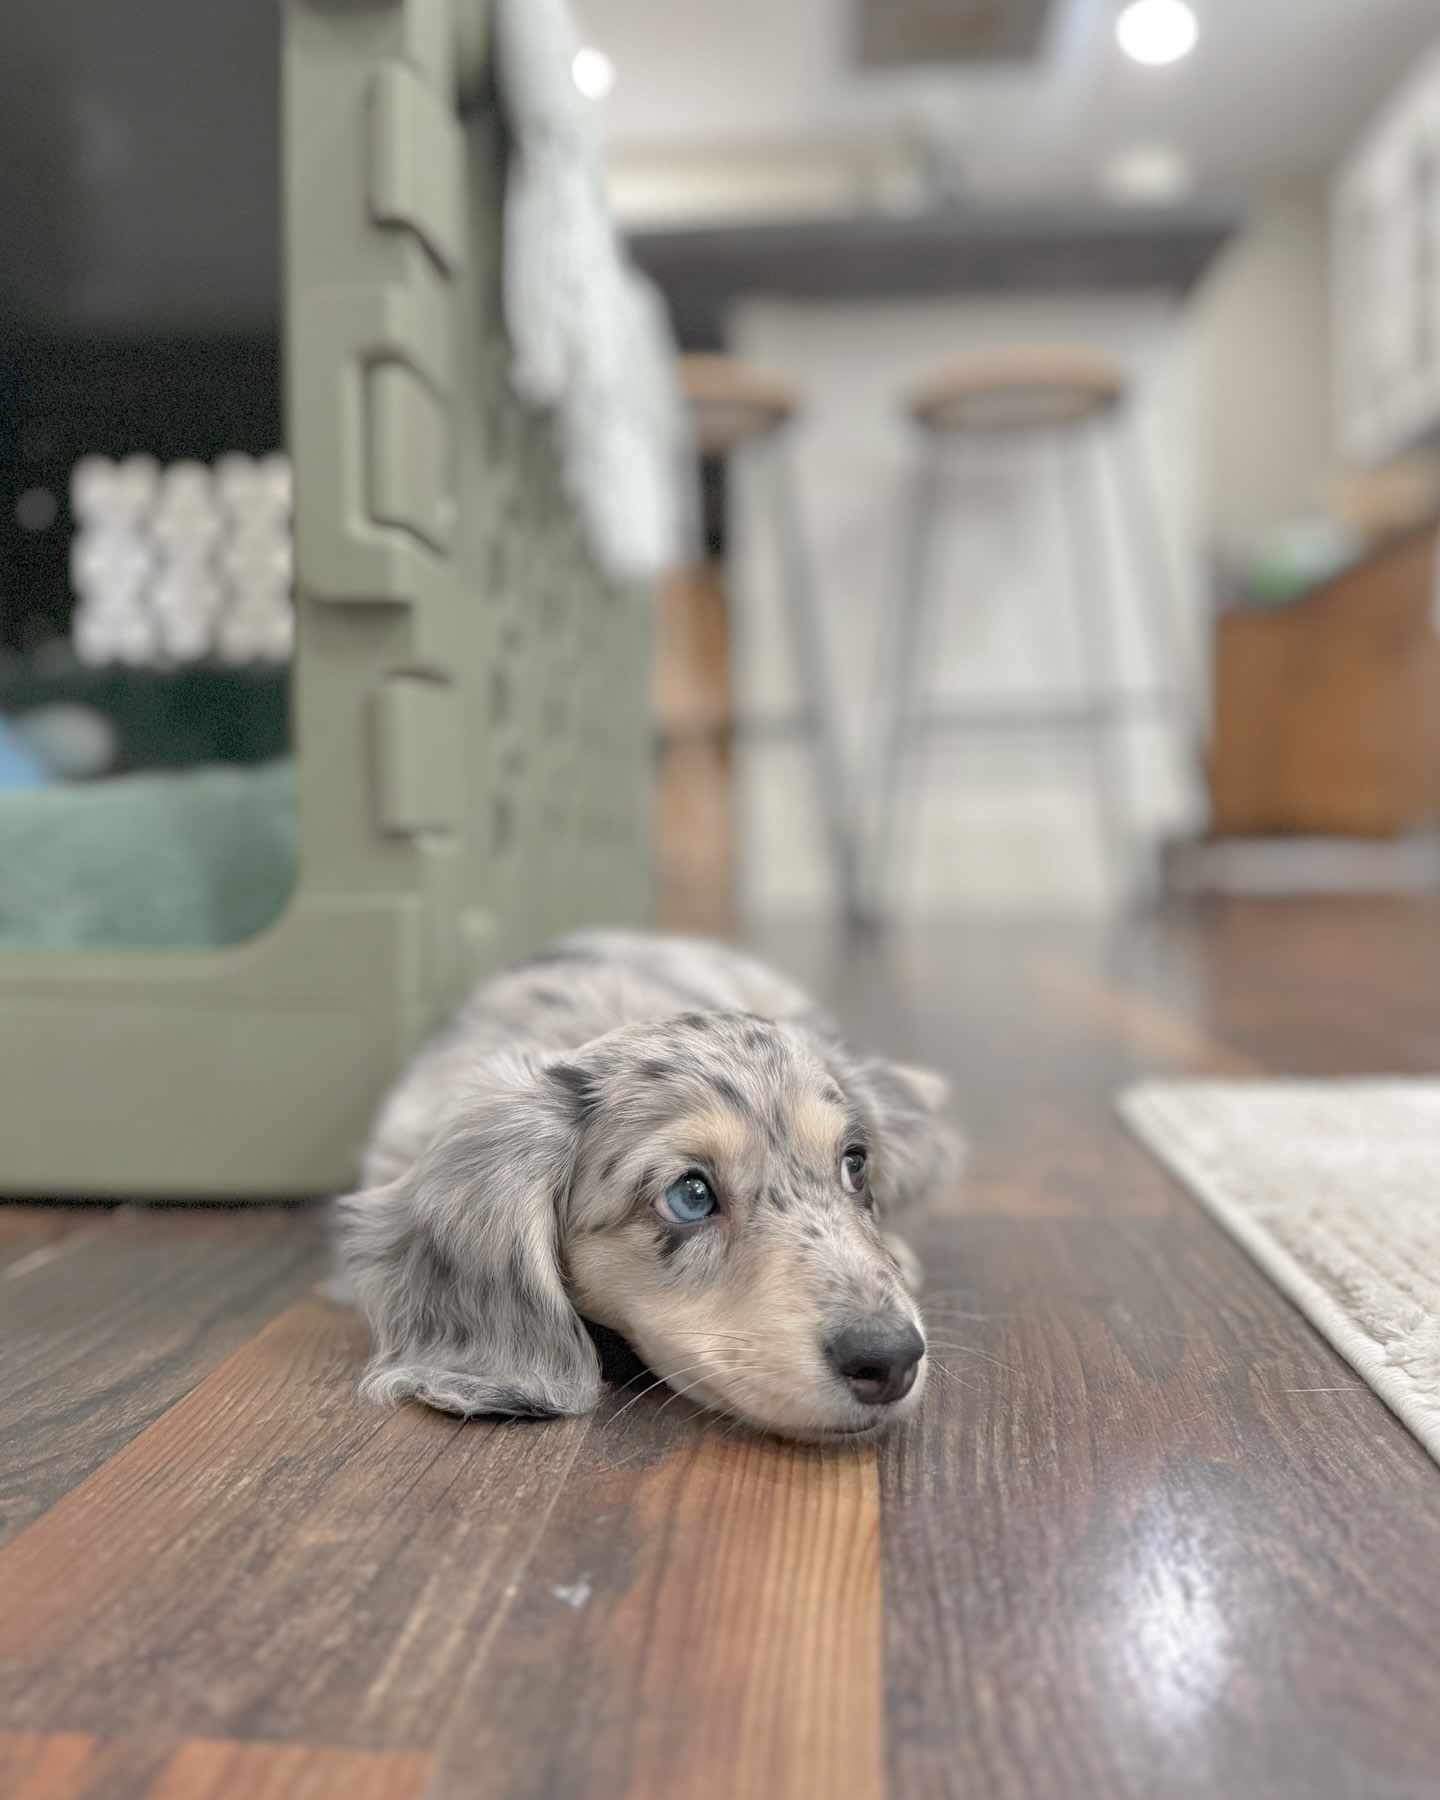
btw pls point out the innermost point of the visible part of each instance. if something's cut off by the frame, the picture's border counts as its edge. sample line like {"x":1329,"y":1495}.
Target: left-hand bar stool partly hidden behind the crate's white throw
{"x":742,"y":411}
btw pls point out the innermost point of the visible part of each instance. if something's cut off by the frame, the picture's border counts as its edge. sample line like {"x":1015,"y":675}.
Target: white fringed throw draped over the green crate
{"x":589,"y":336}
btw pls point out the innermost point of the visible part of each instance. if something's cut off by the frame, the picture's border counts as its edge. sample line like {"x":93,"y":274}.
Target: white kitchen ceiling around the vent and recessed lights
{"x":1275,"y":89}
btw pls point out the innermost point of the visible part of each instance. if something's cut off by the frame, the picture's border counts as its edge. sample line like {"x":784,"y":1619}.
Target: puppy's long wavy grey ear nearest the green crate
{"x":458,"y":1263}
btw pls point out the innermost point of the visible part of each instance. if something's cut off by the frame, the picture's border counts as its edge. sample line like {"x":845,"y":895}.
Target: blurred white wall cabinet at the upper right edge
{"x":1387,"y":278}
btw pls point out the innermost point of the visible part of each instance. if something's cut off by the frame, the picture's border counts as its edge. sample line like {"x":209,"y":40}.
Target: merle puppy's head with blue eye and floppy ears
{"x":712,"y":1187}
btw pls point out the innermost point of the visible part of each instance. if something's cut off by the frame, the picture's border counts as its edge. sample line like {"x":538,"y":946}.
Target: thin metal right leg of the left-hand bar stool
{"x":813,"y":667}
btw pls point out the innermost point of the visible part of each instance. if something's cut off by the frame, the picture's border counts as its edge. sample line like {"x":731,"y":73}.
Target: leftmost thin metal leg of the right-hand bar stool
{"x":901,"y":685}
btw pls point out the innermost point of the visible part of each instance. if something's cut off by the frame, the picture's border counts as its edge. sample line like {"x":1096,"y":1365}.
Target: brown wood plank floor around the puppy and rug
{"x":1149,"y":1538}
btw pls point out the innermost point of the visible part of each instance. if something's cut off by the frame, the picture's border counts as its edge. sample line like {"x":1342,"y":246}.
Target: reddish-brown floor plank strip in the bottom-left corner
{"x":78,"y":1767}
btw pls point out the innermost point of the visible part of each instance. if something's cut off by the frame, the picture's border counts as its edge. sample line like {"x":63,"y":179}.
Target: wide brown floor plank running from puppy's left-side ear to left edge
{"x":292,"y":1563}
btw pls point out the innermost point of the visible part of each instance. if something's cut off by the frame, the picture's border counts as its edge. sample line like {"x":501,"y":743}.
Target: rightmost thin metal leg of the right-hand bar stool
{"x":1160,"y":602}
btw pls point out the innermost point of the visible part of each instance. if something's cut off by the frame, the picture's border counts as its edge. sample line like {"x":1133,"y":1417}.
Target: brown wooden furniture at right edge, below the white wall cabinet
{"x":1327,"y":712}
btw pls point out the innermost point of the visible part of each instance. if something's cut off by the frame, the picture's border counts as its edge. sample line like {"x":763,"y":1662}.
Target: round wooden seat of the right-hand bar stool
{"x":1021,"y":388}
